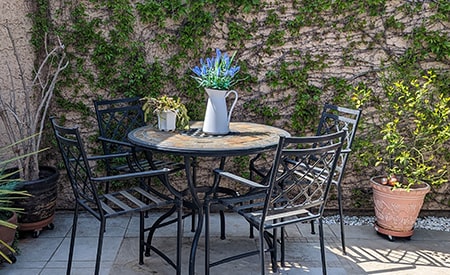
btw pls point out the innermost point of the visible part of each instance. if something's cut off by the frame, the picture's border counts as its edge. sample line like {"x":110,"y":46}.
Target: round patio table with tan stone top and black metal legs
{"x":245,"y":138}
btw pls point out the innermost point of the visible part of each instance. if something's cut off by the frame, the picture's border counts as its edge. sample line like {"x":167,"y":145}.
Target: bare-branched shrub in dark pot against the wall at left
{"x":23,"y":112}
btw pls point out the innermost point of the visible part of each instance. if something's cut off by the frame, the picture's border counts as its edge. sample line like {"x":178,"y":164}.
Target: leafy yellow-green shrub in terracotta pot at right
{"x":415,"y":120}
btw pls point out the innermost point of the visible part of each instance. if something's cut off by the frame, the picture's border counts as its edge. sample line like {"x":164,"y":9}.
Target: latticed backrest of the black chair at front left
{"x":76,"y":162}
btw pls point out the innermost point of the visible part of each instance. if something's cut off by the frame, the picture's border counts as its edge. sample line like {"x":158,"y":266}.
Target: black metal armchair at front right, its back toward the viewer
{"x":295,"y":191}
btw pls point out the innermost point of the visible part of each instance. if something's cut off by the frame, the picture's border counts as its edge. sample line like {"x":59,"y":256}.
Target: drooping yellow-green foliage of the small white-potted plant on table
{"x":155,"y":105}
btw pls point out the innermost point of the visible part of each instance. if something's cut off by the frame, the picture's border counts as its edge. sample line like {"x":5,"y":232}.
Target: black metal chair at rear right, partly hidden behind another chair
{"x":333,"y":119}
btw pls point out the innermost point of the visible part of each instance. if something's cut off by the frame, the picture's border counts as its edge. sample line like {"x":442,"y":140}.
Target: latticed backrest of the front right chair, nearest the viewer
{"x":300,"y":177}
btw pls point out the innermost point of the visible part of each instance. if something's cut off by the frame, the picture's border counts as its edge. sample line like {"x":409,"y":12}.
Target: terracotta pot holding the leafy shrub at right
{"x":396,"y":210}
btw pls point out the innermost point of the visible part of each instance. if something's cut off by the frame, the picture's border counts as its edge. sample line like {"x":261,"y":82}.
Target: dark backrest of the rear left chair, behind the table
{"x":116,"y":118}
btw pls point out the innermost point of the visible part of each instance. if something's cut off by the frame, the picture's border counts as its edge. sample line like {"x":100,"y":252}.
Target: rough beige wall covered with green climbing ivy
{"x":294,"y":56}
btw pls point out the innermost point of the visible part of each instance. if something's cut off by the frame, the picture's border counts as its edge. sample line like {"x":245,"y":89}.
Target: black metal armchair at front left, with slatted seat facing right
{"x":90,"y":194}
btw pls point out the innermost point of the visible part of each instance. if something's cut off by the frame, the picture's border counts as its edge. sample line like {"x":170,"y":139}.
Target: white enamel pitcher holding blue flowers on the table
{"x":217,"y":75}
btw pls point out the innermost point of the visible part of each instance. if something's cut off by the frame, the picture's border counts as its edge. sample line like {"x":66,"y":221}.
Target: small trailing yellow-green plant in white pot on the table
{"x":172,"y":114}
